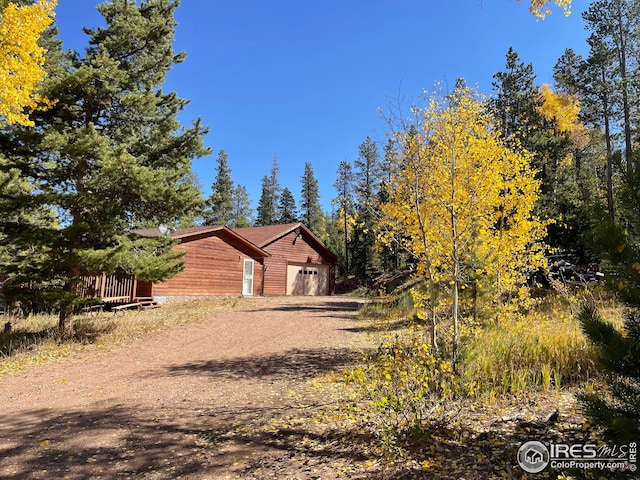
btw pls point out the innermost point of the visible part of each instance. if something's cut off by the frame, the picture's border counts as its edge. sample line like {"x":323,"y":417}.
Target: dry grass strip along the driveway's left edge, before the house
{"x":35,"y":340}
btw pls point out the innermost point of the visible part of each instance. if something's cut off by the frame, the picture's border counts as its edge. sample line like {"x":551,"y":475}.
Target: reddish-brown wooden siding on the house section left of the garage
{"x":213,"y":266}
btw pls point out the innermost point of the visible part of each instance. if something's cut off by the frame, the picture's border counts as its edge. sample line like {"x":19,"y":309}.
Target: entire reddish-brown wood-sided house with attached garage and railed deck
{"x":271,"y":260}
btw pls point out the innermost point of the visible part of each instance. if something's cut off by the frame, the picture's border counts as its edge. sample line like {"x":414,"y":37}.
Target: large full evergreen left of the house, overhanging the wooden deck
{"x":109,"y":156}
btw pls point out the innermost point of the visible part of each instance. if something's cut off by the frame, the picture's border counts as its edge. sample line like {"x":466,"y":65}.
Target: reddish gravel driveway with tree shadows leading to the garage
{"x":214,"y":399}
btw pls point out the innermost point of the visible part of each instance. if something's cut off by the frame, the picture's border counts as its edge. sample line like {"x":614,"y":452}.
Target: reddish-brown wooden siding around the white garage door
{"x":290,"y":248}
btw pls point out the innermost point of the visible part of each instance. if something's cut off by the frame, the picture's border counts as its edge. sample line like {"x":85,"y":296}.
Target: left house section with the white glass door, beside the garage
{"x":218,"y":262}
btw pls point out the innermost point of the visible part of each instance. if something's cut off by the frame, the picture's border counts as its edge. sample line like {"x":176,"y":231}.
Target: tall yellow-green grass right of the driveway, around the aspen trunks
{"x":542,"y":348}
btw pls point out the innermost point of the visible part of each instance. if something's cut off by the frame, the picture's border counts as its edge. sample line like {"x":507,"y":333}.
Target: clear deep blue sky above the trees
{"x":305,"y":79}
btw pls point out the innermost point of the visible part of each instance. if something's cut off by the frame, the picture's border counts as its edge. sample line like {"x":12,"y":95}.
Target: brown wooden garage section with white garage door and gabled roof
{"x":298,"y":262}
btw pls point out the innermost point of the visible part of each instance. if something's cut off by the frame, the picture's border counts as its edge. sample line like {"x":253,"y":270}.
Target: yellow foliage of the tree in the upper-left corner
{"x":22,"y":59}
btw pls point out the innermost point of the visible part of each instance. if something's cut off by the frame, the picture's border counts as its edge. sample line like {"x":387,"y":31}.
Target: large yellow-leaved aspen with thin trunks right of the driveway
{"x":462,"y":202}
